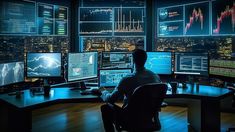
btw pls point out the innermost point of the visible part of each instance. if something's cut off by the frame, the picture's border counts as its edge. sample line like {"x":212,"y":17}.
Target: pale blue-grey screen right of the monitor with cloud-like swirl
{"x":82,"y":66}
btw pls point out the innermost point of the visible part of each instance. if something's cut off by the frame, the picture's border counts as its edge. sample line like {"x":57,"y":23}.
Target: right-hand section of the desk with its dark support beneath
{"x":203,"y":105}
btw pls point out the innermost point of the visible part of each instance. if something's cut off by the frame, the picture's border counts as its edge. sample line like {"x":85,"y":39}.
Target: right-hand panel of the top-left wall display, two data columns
{"x":52,"y":19}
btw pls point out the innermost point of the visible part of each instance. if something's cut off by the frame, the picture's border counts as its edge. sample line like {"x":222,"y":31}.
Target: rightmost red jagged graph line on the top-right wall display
{"x":228,"y":12}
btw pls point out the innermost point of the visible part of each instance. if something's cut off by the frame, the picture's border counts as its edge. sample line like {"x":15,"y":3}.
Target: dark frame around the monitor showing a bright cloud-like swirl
{"x":26,"y":65}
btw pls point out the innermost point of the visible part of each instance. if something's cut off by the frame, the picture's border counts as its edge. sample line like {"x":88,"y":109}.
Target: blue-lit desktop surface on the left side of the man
{"x":28,"y":100}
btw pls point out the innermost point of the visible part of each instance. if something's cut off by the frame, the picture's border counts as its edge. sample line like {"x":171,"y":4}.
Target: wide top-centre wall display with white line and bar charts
{"x":112,"y":21}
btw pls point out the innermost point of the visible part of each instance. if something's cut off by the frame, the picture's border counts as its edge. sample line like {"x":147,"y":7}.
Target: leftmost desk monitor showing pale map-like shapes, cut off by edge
{"x":11,"y":73}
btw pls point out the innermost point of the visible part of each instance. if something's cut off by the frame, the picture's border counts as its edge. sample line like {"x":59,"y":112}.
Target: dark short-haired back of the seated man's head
{"x":139,"y":57}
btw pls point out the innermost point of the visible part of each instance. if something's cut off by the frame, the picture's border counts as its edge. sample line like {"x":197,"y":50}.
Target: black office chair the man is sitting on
{"x":141,"y":113}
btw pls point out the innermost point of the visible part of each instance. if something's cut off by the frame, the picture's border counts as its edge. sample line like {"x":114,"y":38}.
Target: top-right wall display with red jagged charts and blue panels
{"x":206,"y":18}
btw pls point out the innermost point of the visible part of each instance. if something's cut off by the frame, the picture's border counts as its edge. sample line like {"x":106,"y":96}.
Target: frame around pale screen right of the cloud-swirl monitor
{"x":83,"y":79}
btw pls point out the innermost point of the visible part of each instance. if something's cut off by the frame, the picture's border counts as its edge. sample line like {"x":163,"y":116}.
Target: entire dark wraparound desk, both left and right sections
{"x":203,"y":106}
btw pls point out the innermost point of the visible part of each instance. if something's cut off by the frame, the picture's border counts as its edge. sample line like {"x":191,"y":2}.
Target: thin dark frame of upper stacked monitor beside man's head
{"x":114,"y":52}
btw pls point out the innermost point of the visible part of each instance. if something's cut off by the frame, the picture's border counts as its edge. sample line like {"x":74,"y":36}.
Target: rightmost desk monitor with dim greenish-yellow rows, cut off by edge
{"x":223,"y":68}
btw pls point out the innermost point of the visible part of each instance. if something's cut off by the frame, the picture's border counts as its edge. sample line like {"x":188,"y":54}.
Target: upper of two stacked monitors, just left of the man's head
{"x":117,"y":60}
